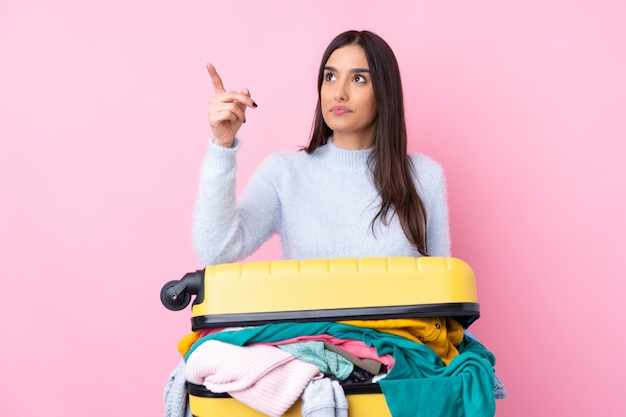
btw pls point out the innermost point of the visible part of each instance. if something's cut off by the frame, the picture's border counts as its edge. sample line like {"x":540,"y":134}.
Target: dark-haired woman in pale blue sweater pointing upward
{"x":352,"y":192}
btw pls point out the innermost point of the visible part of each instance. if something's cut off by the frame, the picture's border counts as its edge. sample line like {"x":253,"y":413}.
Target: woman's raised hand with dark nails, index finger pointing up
{"x":227,"y":110}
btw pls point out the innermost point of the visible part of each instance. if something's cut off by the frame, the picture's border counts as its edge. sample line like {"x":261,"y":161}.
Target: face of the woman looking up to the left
{"x":347,"y":98}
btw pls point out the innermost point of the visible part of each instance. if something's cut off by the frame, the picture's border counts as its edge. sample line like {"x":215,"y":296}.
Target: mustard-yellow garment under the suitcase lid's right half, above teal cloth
{"x":441,"y":334}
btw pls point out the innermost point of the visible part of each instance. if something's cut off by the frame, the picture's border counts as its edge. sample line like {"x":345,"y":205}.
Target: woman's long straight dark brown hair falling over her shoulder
{"x":389,"y":162}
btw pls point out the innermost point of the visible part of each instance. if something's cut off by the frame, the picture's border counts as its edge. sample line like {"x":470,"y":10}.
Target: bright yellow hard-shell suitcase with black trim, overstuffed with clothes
{"x":257,"y":293}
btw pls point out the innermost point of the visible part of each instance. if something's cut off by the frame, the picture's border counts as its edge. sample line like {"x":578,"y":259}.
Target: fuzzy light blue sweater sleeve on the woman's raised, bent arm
{"x":223,"y":229}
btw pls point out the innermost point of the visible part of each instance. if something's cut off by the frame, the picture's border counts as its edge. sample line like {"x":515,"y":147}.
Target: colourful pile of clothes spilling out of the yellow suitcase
{"x":423,"y":366}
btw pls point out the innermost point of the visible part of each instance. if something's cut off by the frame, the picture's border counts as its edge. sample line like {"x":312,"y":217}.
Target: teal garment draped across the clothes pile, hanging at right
{"x":418,"y":376}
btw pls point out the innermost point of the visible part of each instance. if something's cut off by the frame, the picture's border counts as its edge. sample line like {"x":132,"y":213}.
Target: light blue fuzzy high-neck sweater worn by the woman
{"x":321,"y":205}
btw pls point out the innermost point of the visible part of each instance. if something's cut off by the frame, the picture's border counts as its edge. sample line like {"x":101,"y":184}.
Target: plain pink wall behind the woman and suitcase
{"x":103,"y":127}
